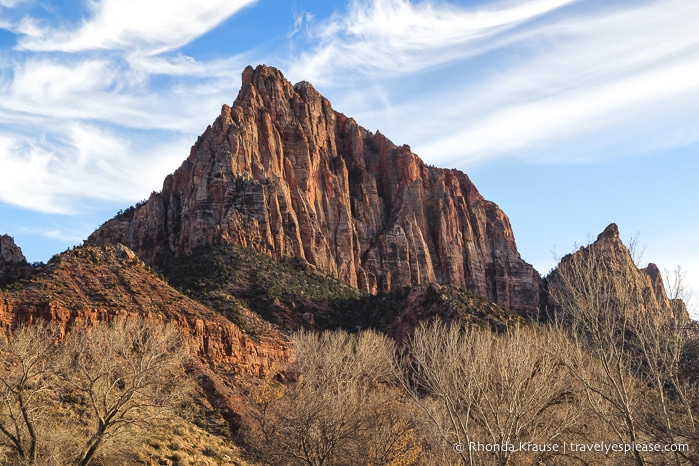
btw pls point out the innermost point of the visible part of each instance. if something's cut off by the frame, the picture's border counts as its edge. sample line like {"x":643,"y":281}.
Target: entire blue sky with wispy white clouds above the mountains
{"x":568,"y":114}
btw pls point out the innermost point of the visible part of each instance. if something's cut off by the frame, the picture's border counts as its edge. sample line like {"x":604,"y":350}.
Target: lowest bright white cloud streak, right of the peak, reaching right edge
{"x":629,"y":104}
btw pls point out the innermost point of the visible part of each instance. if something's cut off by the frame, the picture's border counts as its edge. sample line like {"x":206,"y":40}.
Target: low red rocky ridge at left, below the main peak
{"x":92,"y":284}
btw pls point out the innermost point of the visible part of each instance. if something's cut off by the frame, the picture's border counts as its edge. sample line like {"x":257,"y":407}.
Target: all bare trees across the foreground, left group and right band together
{"x":610,"y":367}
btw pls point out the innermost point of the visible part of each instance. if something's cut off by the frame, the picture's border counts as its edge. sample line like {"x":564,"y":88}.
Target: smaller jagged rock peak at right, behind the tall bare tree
{"x":606,"y":271}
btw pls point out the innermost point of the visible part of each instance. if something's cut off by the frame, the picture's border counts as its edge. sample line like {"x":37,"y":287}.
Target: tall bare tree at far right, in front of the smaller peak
{"x":627,"y":339}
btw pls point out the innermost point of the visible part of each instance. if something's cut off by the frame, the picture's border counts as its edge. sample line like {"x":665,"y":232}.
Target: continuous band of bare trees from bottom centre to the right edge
{"x":607,"y":379}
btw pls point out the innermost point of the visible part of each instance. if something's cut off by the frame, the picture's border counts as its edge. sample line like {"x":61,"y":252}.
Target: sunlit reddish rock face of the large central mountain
{"x":282,"y":172}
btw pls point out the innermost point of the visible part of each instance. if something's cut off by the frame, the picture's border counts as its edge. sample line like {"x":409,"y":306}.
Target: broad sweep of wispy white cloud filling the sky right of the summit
{"x":520,"y":79}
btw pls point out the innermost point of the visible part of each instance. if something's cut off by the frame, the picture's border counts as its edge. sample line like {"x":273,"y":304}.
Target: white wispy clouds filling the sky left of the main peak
{"x":103,"y":112}
